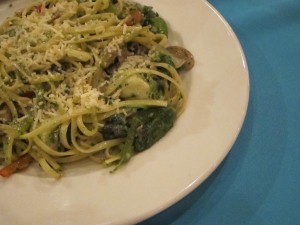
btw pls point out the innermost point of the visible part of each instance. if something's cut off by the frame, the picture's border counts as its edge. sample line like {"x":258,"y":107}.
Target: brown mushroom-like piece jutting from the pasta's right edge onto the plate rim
{"x":183,"y":55}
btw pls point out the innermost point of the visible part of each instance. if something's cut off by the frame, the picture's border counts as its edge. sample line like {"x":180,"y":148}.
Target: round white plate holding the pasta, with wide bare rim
{"x":218,"y":91}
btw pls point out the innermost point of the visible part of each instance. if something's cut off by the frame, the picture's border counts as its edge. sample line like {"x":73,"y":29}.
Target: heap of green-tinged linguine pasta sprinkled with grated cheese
{"x":66,"y":66}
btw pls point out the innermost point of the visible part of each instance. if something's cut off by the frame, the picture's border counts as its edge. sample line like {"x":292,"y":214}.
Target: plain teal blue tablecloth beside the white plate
{"x":259,"y":182}
